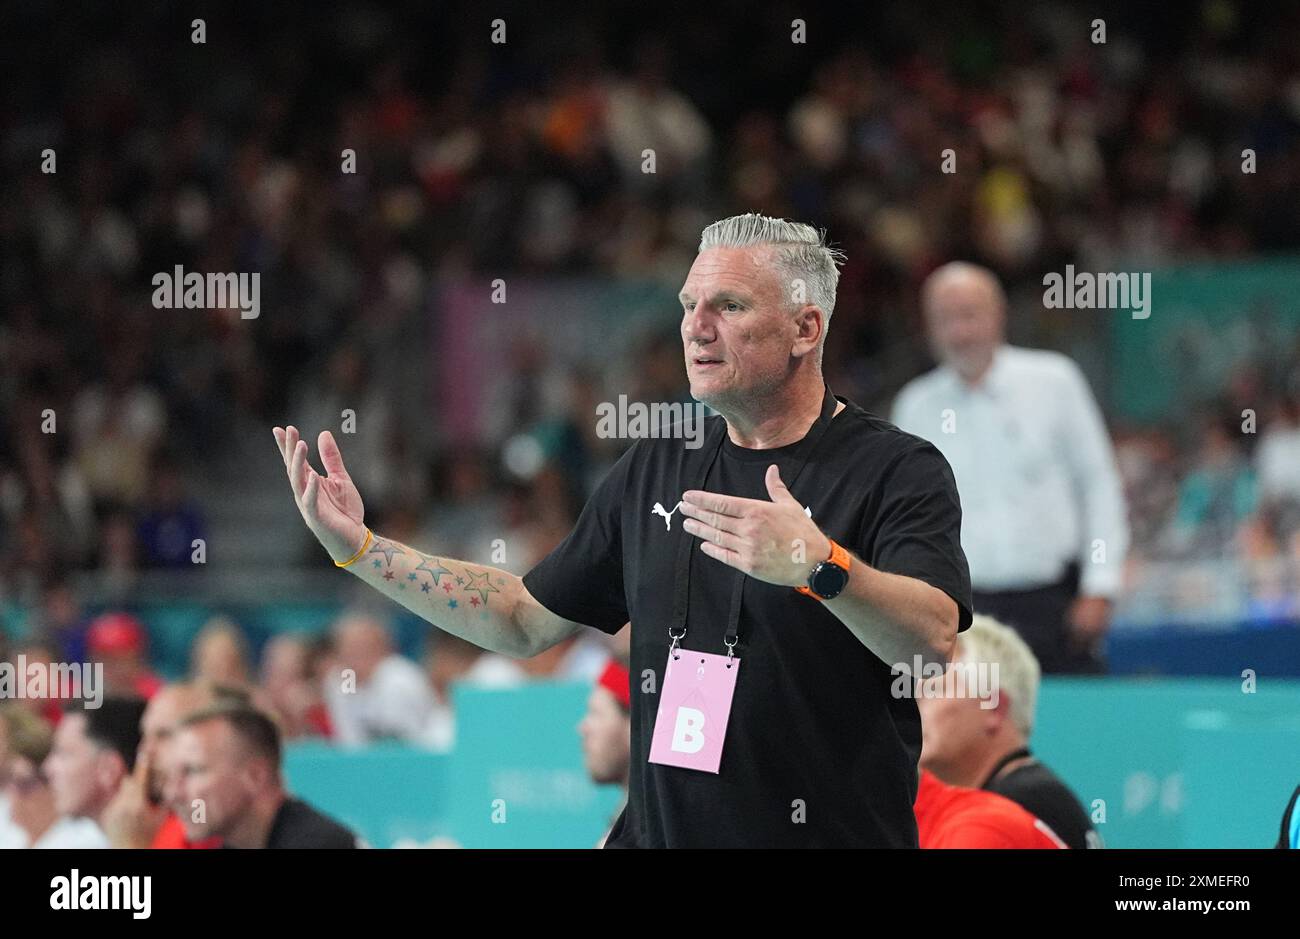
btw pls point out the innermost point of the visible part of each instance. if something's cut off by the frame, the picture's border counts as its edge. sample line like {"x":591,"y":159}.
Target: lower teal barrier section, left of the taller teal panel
{"x":387,"y":794}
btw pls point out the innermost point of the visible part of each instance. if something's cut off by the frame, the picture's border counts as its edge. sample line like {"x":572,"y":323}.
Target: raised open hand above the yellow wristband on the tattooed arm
{"x":331,"y":505}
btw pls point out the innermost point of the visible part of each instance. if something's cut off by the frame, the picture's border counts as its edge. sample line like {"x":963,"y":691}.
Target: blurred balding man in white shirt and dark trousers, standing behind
{"x":1045,"y":526}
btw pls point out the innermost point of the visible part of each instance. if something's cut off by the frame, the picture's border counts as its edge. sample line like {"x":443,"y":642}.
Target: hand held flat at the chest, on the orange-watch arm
{"x":761,"y":539}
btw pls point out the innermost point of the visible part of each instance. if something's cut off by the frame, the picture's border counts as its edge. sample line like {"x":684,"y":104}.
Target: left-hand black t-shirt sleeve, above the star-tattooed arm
{"x":582,"y":581}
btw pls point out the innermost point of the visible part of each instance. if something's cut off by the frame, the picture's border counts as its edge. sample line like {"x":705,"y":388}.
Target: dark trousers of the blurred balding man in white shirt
{"x":1039,"y":616}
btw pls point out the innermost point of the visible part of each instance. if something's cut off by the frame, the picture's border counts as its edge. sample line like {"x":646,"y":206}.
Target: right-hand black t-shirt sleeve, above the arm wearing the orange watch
{"x":918,"y":530}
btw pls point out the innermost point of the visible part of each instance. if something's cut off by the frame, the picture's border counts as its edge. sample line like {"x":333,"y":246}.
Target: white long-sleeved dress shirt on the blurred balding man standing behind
{"x":1034,"y":468}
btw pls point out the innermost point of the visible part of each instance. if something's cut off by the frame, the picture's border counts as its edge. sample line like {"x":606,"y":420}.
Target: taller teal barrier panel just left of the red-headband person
{"x":517,"y":778}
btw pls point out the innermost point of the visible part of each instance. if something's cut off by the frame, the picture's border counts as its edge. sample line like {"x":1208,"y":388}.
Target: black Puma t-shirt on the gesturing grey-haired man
{"x":814,"y":733}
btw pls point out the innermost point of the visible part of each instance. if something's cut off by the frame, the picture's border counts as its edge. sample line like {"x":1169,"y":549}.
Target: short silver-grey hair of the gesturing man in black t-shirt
{"x":801,"y":253}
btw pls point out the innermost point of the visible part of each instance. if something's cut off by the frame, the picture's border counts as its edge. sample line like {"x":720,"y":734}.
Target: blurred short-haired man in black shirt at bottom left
{"x":229,"y":764}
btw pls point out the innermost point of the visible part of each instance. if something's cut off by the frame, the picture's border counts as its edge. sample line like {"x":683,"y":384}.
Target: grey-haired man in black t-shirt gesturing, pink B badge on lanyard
{"x":816,"y":548}
